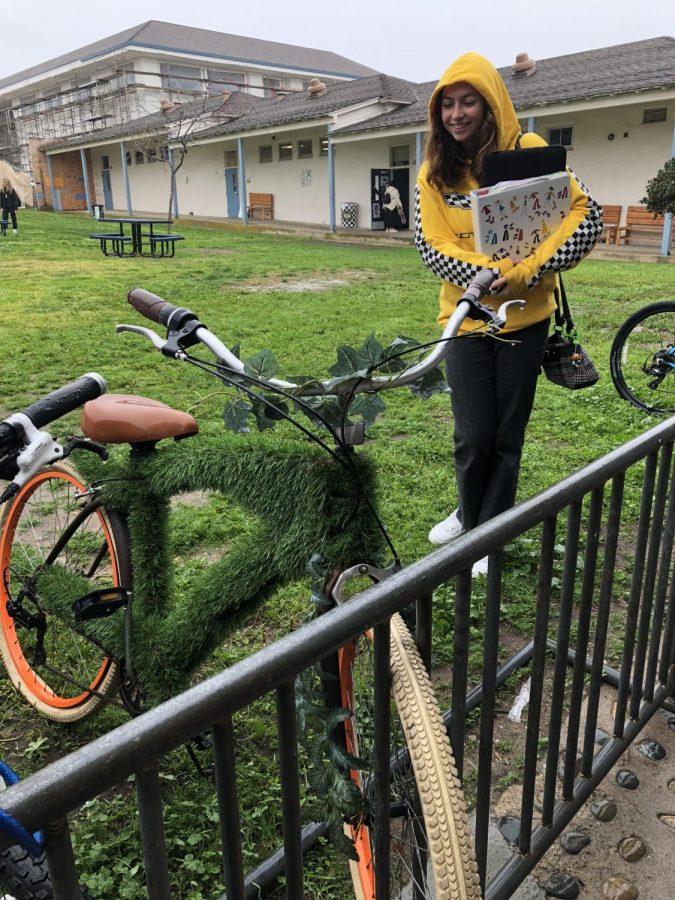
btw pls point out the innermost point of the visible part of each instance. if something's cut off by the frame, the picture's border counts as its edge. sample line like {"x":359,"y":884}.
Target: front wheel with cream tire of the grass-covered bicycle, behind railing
{"x":432,"y":834}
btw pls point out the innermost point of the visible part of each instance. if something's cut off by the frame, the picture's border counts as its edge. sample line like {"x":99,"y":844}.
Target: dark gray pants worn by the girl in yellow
{"x":493,"y":386}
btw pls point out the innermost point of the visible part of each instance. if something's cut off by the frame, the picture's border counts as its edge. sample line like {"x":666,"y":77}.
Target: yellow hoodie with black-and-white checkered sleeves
{"x":444,"y":230}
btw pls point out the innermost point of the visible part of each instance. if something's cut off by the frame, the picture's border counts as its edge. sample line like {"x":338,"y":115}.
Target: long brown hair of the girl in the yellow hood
{"x":446,"y":157}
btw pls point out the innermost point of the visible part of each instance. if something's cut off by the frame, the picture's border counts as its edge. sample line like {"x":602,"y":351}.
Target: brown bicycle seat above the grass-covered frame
{"x":127,"y":419}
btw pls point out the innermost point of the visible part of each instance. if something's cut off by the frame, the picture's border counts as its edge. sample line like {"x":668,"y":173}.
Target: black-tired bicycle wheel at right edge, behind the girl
{"x":636,"y":359}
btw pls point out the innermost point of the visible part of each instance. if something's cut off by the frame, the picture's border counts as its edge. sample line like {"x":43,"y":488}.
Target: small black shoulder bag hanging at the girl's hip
{"x":565,"y":361}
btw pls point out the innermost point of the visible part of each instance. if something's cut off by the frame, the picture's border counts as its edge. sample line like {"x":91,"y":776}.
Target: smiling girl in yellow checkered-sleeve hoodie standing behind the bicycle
{"x":493,"y":383}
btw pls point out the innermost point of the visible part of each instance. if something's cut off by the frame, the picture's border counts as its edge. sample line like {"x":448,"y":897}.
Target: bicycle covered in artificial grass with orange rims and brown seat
{"x":106,"y":535}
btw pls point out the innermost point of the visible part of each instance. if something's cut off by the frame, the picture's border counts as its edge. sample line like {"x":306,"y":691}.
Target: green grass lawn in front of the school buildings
{"x":59,"y":304}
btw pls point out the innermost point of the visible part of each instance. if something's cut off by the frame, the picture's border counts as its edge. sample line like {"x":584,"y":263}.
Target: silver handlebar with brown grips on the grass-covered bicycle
{"x":158,"y":310}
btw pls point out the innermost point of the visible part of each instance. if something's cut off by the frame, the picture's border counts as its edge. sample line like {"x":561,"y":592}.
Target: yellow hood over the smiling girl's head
{"x":482,"y":75}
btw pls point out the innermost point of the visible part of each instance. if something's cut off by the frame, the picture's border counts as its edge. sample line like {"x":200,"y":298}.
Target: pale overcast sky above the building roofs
{"x":416,"y":41}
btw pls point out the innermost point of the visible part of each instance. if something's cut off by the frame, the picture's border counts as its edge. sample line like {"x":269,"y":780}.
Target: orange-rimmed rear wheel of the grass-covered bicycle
{"x":75,"y":676}
